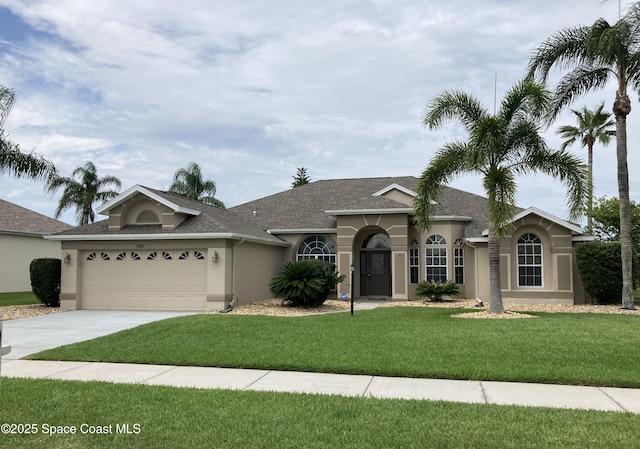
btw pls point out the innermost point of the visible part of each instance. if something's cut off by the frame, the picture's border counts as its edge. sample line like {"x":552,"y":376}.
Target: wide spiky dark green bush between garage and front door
{"x":305,"y":283}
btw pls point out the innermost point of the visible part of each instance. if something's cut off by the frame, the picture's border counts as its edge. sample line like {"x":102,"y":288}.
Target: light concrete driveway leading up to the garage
{"x":30,"y":335}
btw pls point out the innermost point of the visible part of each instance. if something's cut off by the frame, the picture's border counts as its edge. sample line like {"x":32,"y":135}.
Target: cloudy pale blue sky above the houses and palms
{"x":253,"y":89}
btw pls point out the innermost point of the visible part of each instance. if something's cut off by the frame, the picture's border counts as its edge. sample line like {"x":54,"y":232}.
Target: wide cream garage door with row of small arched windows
{"x":144,"y":280}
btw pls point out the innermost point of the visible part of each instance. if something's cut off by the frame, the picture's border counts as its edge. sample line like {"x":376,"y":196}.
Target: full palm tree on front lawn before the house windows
{"x":500,"y":147}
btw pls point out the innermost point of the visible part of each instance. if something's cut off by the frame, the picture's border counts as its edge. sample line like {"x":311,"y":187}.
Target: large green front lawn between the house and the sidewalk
{"x":585,"y":349}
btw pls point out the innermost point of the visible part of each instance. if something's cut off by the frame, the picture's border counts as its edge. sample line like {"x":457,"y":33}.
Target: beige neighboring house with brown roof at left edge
{"x":21,"y":241}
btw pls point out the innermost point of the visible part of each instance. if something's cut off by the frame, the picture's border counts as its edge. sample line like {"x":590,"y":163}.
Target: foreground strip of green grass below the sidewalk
{"x":188,"y":418}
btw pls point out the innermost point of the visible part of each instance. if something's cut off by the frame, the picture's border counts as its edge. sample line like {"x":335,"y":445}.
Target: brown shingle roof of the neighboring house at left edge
{"x":15,"y":219}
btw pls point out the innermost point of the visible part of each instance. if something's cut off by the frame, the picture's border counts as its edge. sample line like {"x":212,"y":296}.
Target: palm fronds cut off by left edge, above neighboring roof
{"x":13,"y":160}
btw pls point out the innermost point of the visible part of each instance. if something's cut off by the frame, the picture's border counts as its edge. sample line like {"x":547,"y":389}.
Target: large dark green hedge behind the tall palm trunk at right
{"x":600,"y":267}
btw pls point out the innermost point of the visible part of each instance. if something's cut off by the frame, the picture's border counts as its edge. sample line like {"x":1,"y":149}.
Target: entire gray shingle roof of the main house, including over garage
{"x":302,"y":208}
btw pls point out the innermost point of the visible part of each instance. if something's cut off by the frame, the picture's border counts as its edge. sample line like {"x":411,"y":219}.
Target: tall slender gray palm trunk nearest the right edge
{"x":621,"y":109}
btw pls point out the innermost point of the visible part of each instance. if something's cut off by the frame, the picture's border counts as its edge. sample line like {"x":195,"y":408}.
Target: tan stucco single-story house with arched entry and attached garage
{"x":158,"y":251}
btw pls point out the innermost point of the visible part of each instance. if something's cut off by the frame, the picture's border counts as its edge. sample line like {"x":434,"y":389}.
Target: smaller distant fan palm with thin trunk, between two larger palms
{"x":593,"y":126}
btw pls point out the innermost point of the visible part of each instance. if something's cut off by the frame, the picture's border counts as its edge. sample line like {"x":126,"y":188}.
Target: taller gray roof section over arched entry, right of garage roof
{"x":313,"y":206}
